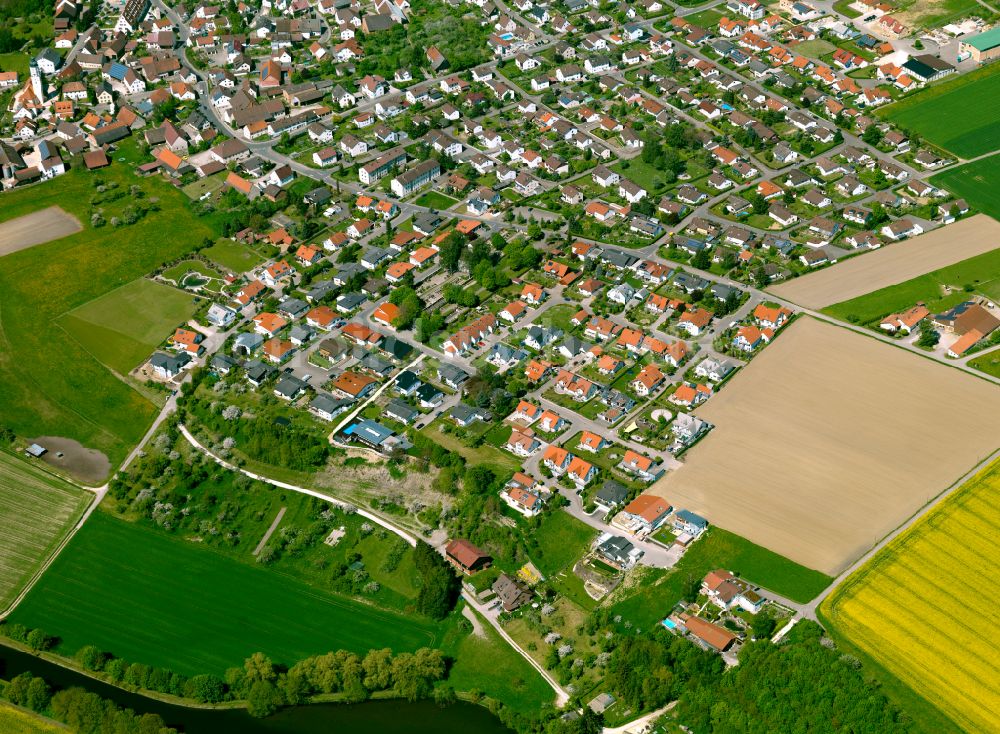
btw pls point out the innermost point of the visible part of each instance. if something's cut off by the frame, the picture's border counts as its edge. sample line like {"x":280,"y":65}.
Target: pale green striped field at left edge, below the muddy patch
{"x":36,"y":511}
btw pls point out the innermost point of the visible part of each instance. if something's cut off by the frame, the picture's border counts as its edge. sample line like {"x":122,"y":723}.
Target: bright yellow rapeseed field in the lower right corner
{"x":918,"y":607}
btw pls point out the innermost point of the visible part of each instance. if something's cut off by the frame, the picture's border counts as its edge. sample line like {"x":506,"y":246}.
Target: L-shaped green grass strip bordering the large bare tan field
{"x":719,"y":548}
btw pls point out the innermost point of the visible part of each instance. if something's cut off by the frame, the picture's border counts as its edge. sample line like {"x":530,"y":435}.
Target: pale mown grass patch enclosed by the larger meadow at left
{"x":122,"y":328}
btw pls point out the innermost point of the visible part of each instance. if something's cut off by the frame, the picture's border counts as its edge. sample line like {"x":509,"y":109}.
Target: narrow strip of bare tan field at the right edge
{"x":893,"y":264}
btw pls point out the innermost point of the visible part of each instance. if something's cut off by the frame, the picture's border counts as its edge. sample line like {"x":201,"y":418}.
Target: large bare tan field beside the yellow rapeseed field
{"x":829,"y":440}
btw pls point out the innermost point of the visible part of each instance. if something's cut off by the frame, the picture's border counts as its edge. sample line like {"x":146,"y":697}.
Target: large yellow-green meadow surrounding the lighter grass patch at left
{"x":49,"y":383}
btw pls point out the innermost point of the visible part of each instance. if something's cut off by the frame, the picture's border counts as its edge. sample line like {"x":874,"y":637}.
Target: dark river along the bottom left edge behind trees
{"x":384,"y":717}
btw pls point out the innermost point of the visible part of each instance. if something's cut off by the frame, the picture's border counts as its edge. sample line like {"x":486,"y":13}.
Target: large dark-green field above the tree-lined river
{"x":149,"y":597}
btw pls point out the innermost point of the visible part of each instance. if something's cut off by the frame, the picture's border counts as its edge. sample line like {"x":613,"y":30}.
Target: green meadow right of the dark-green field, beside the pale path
{"x":490,"y":665}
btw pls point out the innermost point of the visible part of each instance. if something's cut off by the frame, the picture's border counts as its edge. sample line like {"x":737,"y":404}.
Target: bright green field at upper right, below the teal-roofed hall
{"x":953,"y":115}
